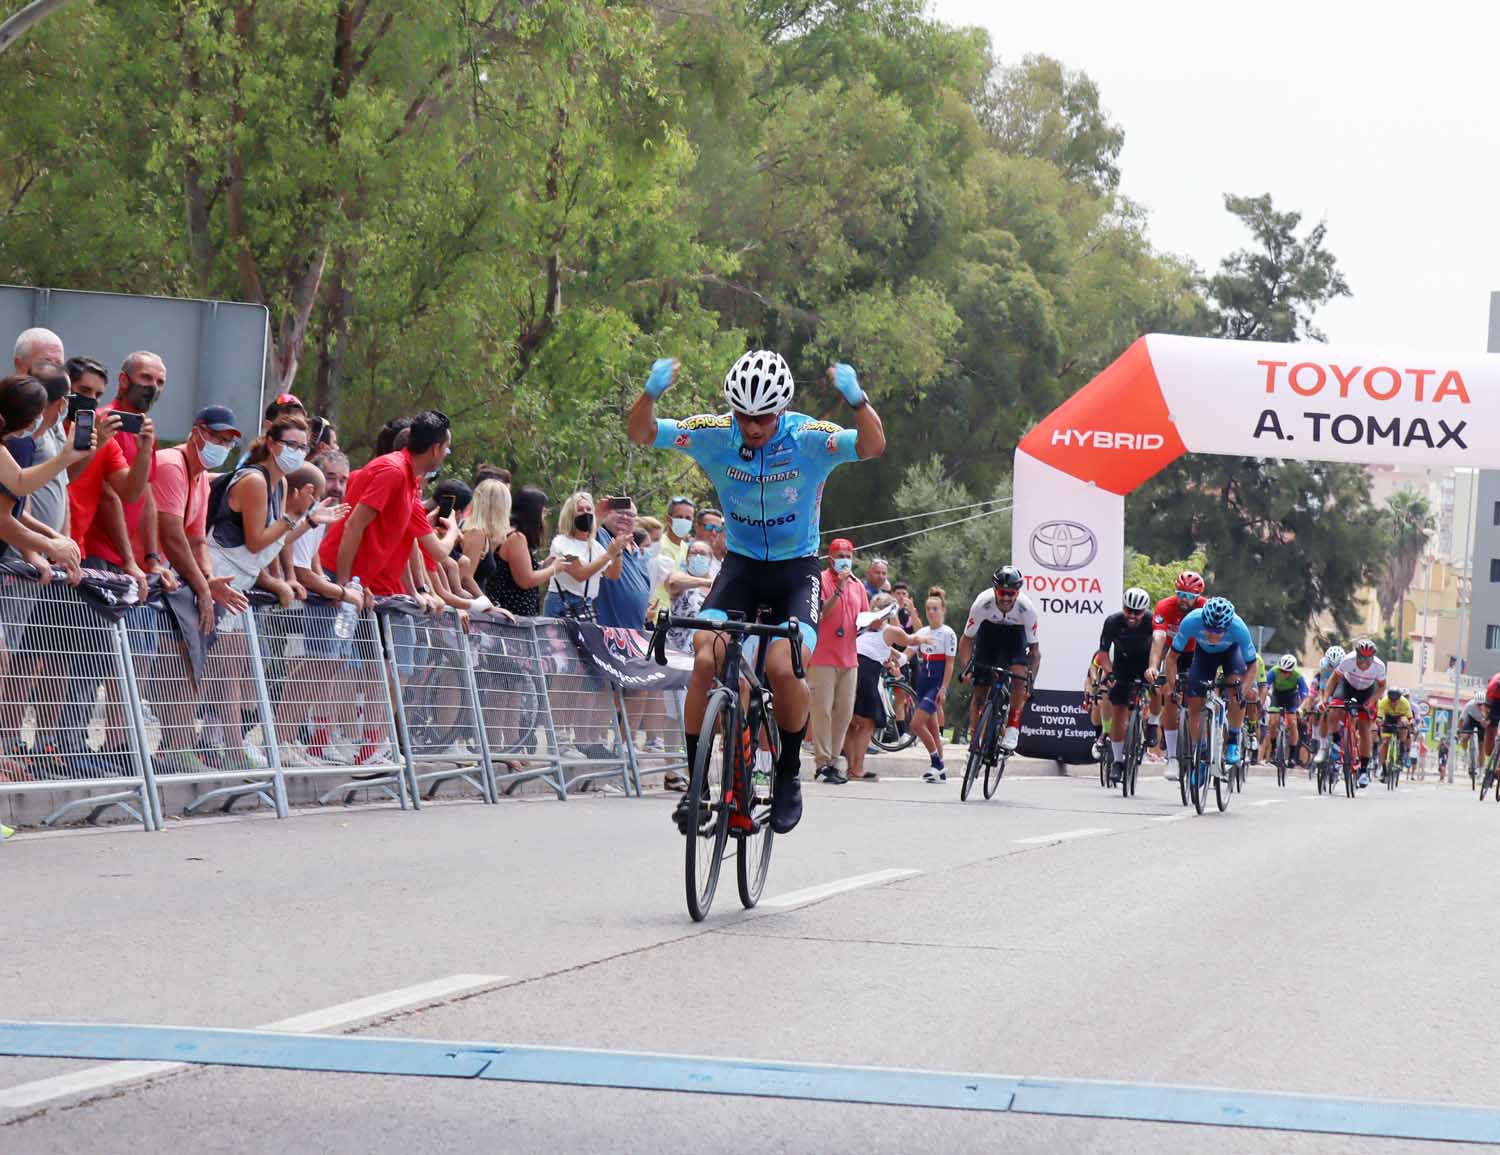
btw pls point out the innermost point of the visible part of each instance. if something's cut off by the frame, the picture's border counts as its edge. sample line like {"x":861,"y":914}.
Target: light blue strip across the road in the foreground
{"x":715,"y":1076}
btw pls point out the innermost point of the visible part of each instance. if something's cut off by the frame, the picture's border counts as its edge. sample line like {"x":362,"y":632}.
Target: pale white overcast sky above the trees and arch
{"x":1382,"y":127}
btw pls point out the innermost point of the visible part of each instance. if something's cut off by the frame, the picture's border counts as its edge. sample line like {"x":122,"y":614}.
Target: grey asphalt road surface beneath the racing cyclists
{"x":1313,"y":946}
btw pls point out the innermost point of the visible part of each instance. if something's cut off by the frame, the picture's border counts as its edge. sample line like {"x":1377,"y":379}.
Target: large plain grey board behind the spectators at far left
{"x":215,"y":352}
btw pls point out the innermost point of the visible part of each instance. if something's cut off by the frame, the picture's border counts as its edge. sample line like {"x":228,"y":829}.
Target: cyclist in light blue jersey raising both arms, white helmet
{"x":770,"y":467}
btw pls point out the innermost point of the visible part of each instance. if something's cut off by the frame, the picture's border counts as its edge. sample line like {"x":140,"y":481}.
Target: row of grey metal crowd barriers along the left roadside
{"x":113,"y":709}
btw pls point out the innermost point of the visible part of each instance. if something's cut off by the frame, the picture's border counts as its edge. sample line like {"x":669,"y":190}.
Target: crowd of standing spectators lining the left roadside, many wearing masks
{"x":275,"y":506}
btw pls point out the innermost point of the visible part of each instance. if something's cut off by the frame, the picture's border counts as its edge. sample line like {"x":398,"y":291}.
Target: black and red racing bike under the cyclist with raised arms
{"x":734,"y":797}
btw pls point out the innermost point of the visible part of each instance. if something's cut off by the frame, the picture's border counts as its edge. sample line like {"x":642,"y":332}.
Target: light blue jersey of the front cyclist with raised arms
{"x":772,"y":496}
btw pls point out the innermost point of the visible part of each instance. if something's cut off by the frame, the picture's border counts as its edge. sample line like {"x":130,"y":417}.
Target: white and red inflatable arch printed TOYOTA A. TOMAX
{"x":1166,"y":397}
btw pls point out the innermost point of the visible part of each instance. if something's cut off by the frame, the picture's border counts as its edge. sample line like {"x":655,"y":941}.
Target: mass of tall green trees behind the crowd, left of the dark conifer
{"x":508,"y":212}
